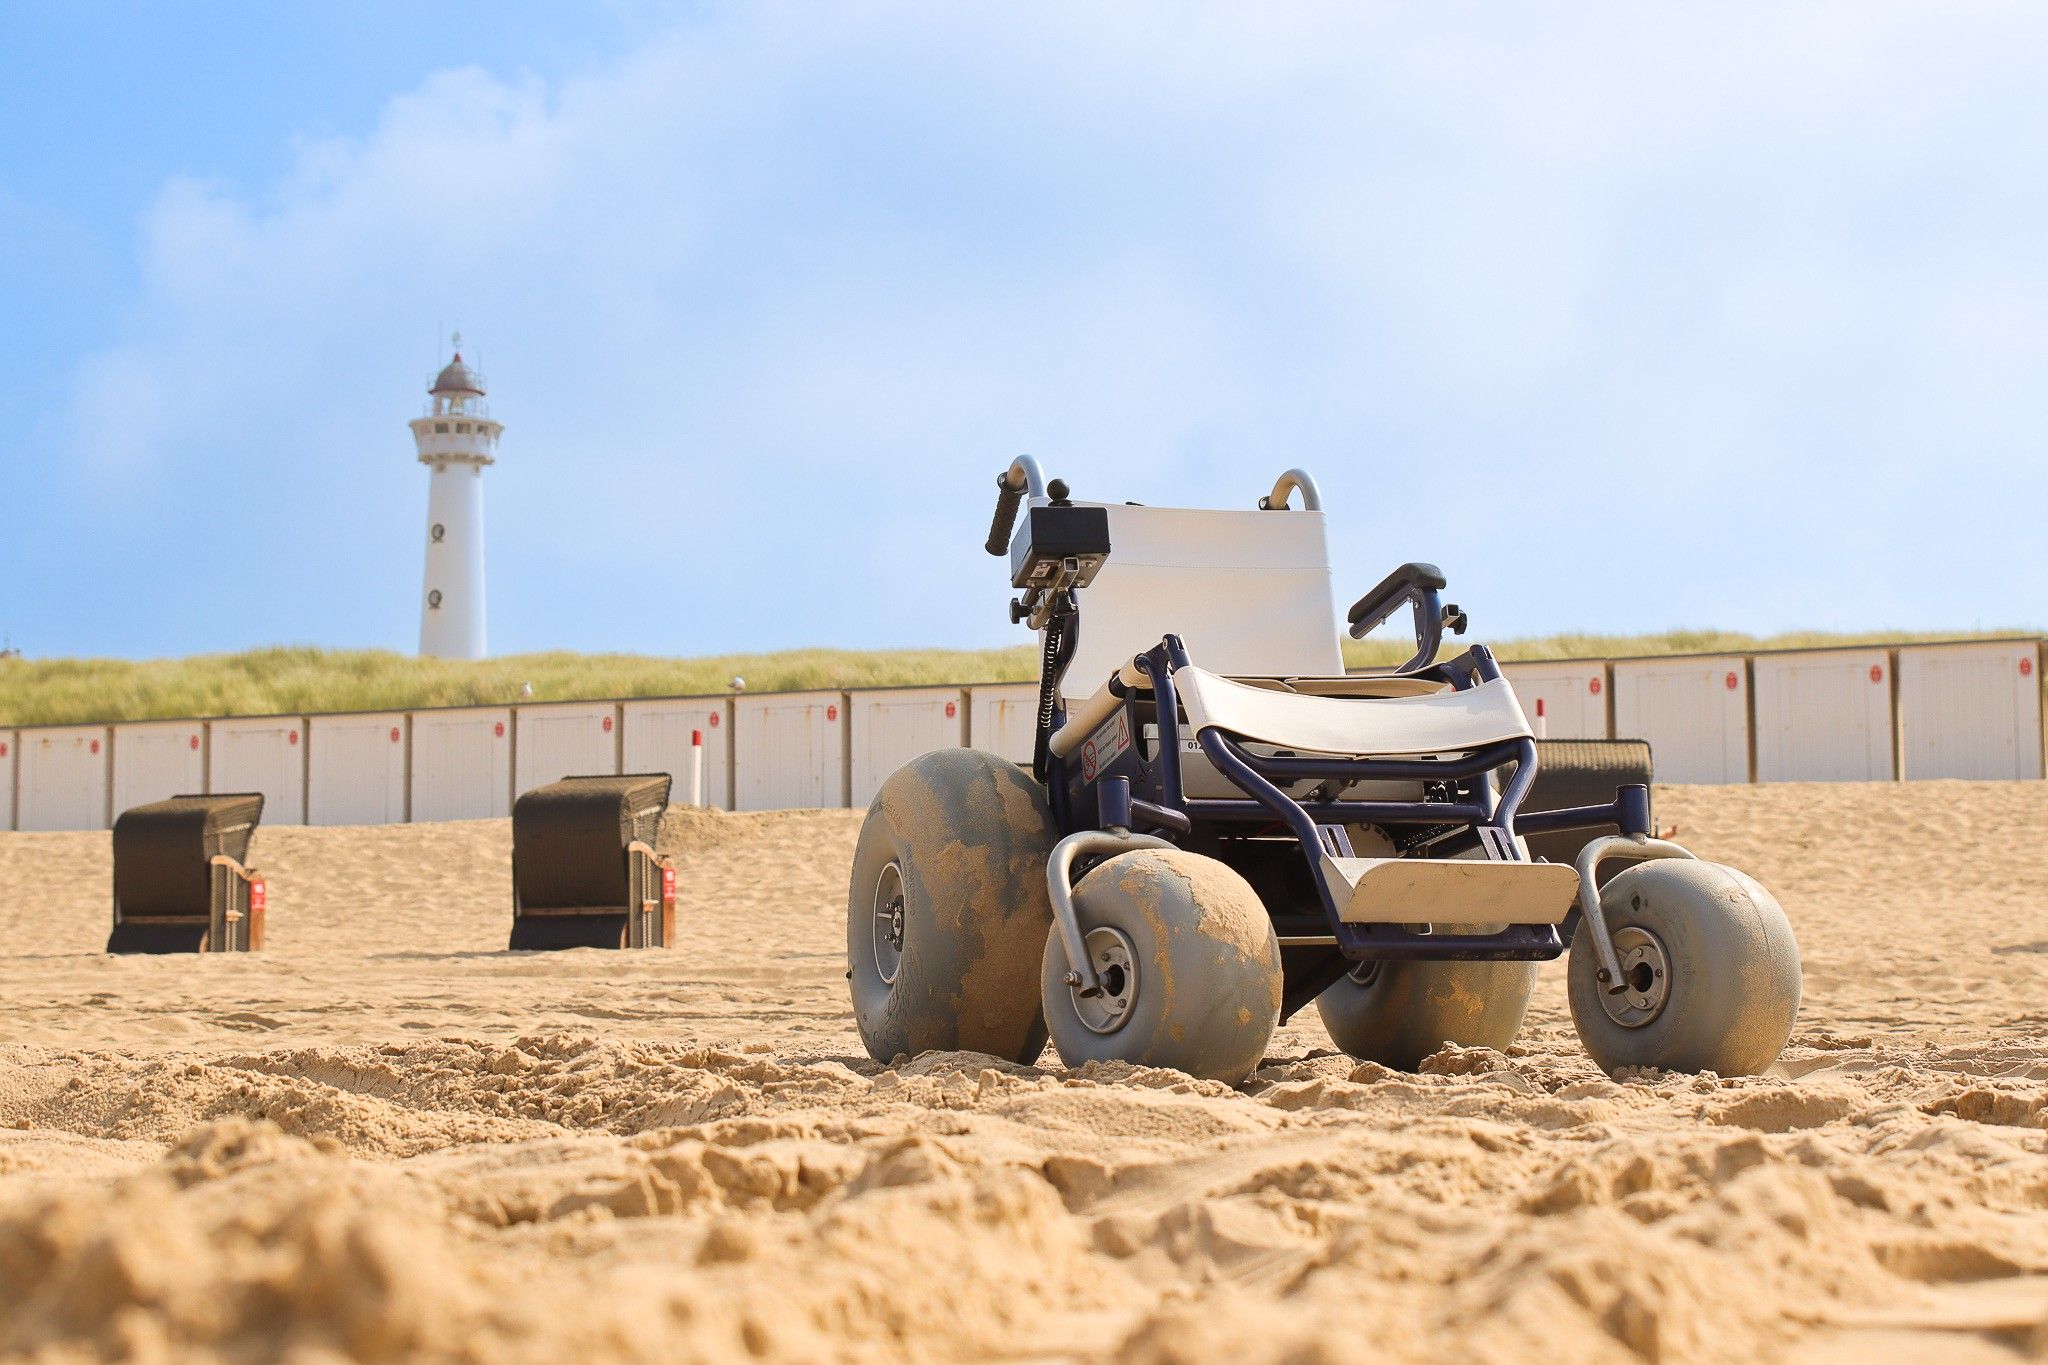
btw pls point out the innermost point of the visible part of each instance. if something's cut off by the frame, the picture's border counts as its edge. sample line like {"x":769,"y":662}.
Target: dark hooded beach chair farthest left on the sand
{"x":171,"y":895}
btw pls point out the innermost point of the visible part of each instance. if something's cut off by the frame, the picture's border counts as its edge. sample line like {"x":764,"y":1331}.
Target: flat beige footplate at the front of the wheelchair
{"x":1420,"y":891}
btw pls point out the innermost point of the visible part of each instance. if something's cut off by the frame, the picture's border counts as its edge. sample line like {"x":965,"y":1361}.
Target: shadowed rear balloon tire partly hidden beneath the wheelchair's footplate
{"x":1398,"y":1014}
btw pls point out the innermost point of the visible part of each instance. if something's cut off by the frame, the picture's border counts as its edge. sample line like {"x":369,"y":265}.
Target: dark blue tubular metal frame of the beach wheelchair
{"x":1148,"y":791}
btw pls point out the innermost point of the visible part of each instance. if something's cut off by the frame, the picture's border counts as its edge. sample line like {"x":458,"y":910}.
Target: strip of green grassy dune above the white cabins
{"x":318,"y":680}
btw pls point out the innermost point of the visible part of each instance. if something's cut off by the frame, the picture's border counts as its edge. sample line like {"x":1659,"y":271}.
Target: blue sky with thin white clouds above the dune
{"x":1631,"y":316}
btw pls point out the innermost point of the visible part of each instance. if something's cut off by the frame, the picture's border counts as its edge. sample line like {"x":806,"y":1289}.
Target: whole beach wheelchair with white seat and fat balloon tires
{"x":1222,"y":826}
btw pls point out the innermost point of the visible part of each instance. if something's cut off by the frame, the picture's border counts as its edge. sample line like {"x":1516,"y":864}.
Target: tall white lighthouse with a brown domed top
{"x":458,"y":441}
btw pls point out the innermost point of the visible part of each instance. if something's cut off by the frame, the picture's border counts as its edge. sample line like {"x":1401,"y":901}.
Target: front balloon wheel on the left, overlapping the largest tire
{"x":1191,"y":969}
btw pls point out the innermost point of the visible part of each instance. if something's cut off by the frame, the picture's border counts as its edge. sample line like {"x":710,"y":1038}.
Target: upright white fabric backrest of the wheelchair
{"x":1248,"y":592}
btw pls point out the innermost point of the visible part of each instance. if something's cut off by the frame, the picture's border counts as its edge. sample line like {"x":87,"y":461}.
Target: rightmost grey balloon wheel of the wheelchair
{"x":1711,"y":973}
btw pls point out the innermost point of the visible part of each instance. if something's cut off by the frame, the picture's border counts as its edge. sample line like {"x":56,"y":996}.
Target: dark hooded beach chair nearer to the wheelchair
{"x":585,"y":873}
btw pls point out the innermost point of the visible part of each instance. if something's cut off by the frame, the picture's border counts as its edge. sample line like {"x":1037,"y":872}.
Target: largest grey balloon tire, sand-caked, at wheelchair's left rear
{"x":947,"y":910}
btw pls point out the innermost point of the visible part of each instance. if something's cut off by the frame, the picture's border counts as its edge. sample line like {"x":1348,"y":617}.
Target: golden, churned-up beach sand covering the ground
{"x":386,"y":1139}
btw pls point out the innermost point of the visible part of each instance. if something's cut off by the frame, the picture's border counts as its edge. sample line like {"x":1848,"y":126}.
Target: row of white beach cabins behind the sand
{"x":1836,"y":715}
